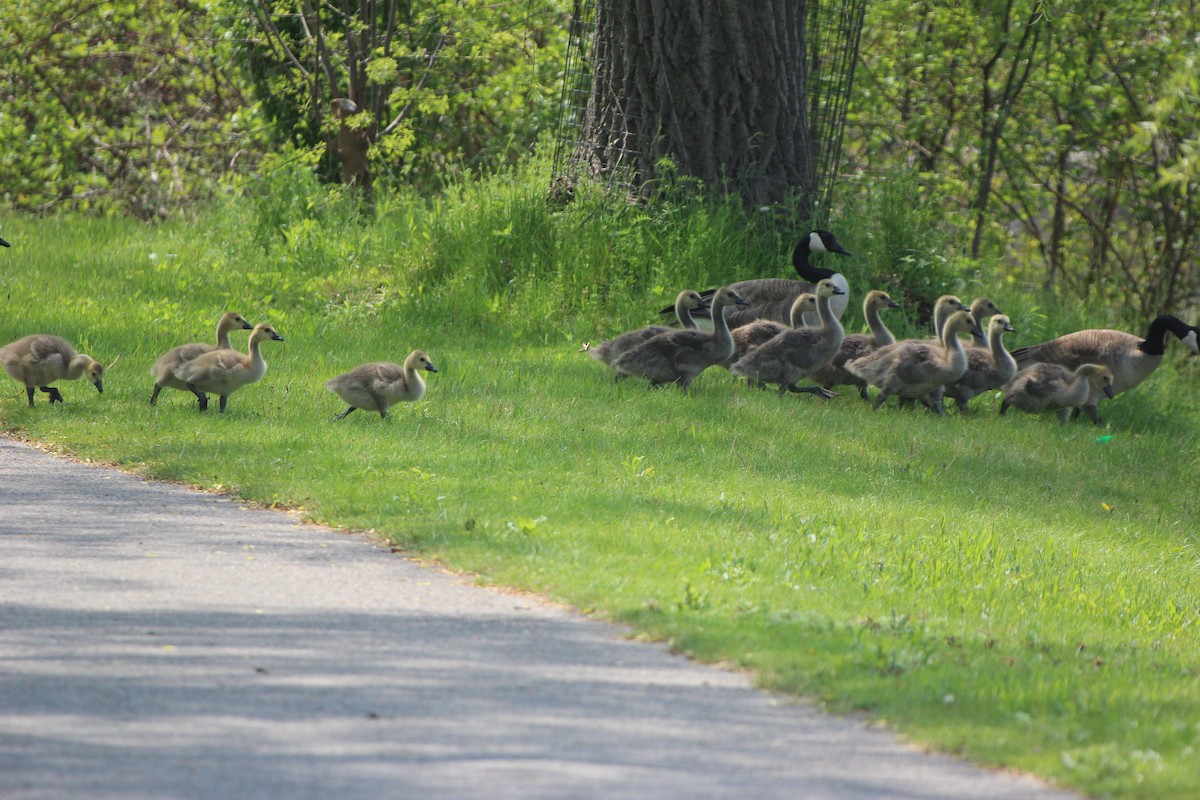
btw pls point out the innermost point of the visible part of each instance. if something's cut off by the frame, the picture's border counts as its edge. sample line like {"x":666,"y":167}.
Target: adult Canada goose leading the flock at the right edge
{"x":1131,"y":359}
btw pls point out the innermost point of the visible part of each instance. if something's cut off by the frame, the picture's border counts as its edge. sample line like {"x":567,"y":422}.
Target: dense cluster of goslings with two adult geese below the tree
{"x":776,"y":332}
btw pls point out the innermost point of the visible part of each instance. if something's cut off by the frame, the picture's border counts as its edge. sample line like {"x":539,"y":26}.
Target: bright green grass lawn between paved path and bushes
{"x":1007,"y":590}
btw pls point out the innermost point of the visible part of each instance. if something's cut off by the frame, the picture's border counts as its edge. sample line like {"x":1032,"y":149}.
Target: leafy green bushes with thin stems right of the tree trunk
{"x":1090,"y":116}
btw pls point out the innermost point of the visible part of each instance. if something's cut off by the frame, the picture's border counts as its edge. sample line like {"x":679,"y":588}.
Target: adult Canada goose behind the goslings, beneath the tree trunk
{"x":773,"y":298}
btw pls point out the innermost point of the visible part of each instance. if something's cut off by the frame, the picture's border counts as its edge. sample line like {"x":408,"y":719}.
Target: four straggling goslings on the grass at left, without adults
{"x":40,"y":360}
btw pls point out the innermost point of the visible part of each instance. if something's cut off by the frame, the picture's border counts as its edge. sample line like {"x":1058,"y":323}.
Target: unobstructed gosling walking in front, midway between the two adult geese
{"x":917,"y":369}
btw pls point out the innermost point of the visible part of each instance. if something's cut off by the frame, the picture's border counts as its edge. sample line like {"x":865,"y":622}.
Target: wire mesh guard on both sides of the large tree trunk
{"x":833,"y":31}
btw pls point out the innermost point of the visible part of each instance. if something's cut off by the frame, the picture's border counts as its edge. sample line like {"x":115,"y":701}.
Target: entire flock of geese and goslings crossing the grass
{"x":771,"y":332}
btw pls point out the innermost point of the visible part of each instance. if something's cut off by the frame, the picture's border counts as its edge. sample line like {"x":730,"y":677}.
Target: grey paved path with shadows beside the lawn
{"x":159,"y":643}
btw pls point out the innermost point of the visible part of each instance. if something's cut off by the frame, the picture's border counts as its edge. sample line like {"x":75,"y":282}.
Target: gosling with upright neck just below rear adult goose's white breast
{"x":796,"y":353}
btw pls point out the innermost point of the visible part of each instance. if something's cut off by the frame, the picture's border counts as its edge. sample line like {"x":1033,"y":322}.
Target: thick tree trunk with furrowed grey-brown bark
{"x":717,"y":88}
